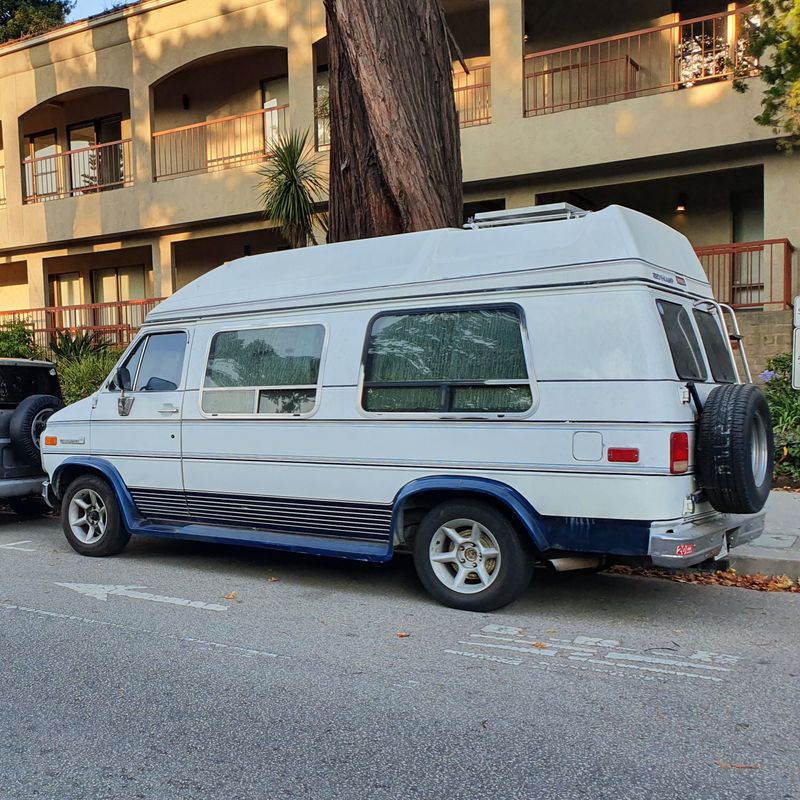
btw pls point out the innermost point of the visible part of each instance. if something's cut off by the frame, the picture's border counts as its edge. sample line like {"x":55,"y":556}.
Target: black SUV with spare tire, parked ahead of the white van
{"x":29,"y":394}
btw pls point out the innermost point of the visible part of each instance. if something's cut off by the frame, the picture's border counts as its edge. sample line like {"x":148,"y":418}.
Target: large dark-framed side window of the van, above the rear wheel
{"x":467,"y":361}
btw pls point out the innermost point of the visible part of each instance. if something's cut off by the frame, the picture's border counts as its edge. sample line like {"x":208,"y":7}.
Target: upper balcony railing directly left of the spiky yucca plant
{"x":218,"y":144}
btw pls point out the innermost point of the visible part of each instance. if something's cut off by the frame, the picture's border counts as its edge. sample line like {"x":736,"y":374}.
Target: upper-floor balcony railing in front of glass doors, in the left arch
{"x":78,"y":172}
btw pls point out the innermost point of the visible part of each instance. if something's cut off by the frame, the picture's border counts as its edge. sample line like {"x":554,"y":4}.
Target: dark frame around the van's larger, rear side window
{"x":451,"y":415}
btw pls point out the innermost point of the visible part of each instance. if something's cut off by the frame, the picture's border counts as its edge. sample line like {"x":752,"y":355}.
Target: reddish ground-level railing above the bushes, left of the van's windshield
{"x":115,"y":322}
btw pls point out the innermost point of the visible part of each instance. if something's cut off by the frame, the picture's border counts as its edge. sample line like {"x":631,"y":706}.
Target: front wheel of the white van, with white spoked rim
{"x":91,"y":519}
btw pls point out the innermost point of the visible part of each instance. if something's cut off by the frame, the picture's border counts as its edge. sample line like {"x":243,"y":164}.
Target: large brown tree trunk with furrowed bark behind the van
{"x":395,"y":143}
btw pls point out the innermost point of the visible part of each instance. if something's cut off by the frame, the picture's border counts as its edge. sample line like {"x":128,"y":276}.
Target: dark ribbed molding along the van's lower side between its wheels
{"x":317,"y":517}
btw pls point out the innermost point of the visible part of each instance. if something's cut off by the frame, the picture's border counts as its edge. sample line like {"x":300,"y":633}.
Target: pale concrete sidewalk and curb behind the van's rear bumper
{"x":777,"y":550}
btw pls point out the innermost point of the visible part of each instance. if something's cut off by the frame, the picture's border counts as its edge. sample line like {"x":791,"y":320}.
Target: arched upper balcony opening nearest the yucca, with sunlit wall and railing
{"x":222,"y":111}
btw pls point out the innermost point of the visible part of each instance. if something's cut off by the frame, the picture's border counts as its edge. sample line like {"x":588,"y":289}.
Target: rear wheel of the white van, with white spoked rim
{"x":469,"y":556}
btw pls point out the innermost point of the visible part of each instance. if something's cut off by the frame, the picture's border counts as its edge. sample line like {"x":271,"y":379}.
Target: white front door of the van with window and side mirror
{"x":137,"y":426}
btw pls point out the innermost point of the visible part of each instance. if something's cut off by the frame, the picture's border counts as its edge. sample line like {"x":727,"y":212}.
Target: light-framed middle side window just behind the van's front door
{"x":264,"y":371}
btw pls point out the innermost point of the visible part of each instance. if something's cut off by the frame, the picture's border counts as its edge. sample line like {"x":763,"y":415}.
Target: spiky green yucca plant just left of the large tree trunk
{"x":292,"y":186}
